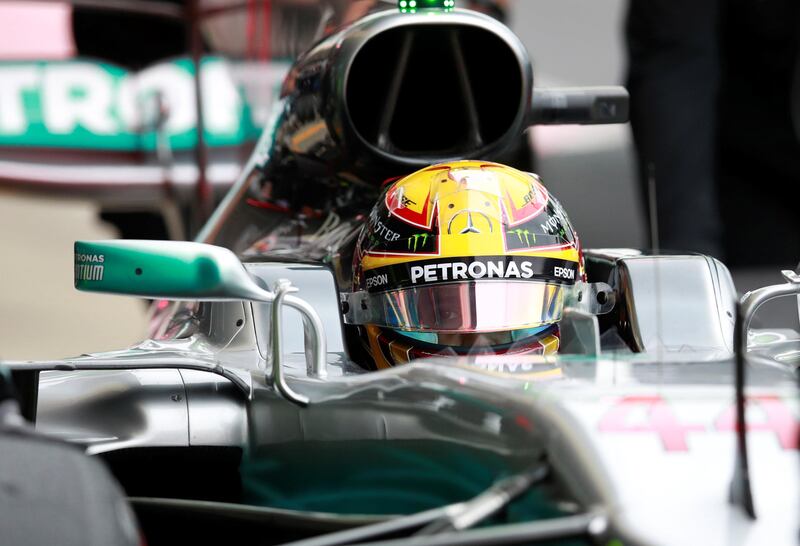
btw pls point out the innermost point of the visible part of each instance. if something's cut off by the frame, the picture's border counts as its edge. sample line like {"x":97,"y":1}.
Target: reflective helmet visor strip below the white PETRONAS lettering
{"x":478,"y":306}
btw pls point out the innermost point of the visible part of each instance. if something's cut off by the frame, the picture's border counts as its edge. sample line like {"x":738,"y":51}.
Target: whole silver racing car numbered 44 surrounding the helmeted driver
{"x":246,"y":417}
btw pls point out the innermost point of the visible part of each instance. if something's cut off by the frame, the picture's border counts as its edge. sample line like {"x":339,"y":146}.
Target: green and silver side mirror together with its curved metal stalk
{"x":178,"y":270}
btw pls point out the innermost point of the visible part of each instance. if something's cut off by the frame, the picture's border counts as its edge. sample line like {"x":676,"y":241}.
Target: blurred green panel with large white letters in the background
{"x":84,"y":104}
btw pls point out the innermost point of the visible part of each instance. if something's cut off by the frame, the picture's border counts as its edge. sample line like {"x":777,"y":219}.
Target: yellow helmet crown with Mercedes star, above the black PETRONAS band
{"x":462,"y":209}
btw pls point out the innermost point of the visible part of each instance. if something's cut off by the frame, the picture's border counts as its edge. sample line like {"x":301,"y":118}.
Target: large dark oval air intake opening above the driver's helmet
{"x":435,"y":92}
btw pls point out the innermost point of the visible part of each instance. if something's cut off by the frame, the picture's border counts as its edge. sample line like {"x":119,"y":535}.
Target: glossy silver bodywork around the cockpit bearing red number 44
{"x":647,"y":439}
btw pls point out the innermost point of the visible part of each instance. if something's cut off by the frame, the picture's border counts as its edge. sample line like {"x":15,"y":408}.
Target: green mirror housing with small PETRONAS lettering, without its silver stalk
{"x":139,"y":268}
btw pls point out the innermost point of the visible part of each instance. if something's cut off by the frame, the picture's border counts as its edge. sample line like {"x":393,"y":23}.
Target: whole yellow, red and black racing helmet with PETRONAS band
{"x":466,"y":257}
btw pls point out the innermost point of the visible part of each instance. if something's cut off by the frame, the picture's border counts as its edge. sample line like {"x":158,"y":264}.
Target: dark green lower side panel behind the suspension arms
{"x":382,"y":477}
